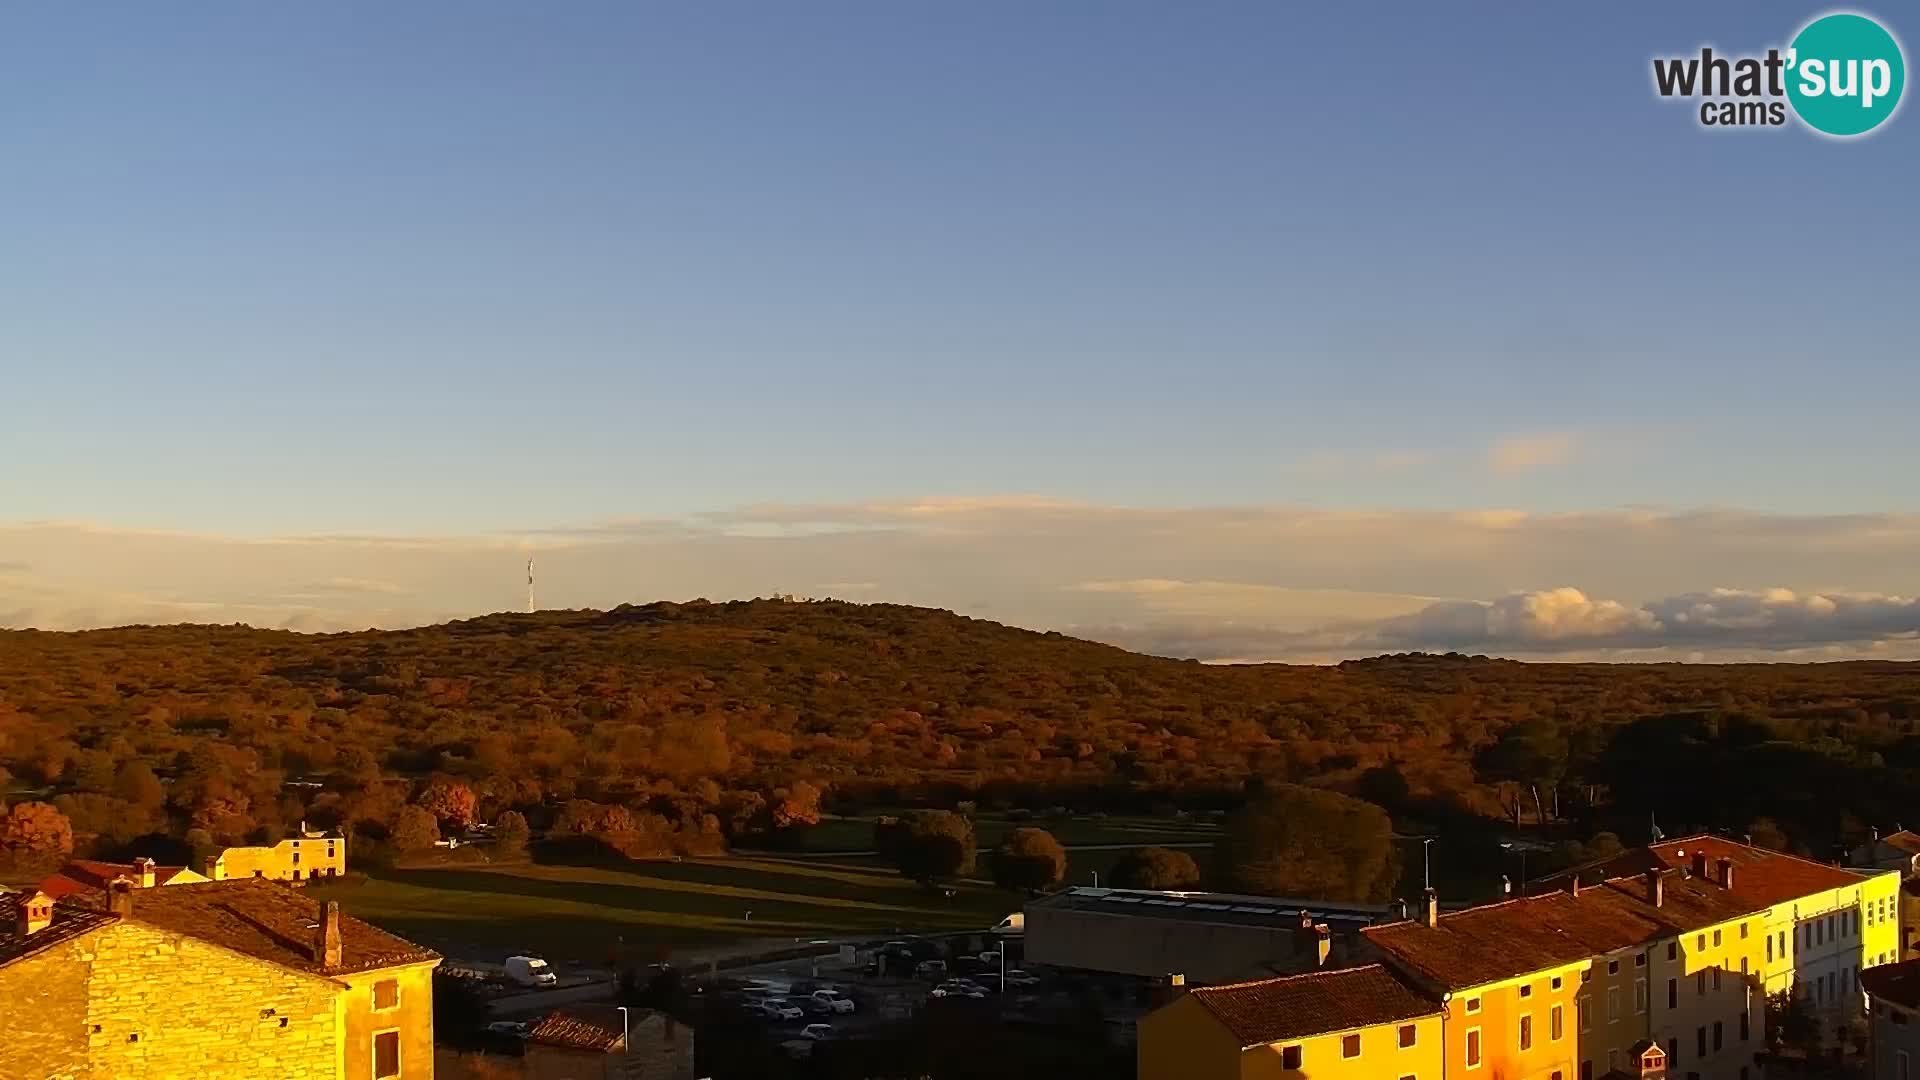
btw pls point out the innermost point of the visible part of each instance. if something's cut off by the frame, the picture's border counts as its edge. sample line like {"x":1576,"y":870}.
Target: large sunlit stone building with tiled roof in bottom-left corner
{"x":214,"y":981}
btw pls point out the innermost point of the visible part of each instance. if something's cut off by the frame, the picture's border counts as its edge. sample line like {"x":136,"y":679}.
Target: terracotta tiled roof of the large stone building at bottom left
{"x":268,"y":921}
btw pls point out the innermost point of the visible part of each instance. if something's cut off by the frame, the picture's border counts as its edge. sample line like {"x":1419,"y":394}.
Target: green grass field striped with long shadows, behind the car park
{"x":583,"y":914}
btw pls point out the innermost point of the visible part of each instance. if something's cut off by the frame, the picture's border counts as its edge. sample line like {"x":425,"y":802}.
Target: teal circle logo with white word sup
{"x":1846,"y":74}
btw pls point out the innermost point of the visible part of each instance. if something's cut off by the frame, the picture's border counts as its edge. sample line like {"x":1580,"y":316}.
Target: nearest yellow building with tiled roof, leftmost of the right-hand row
{"x":1362,"y":1023}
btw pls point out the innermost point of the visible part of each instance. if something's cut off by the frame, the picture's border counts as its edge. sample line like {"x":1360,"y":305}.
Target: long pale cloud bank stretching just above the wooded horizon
{"x":1207,"y":583}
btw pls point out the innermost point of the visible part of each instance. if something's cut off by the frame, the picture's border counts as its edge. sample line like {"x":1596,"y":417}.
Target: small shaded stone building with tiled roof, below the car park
{"x":604,"y":1043}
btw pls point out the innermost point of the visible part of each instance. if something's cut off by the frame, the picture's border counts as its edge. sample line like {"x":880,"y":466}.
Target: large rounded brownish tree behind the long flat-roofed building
{"x":1310,"y":843}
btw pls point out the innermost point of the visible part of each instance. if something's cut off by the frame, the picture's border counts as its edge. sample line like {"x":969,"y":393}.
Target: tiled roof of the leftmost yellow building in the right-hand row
{"x":1297,"y":1006}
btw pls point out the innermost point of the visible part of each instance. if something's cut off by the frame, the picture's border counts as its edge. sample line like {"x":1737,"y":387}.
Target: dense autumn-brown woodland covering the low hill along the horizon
{"x":692,"y":725}
